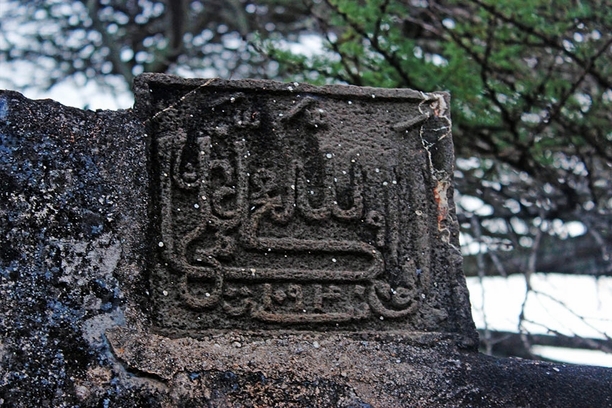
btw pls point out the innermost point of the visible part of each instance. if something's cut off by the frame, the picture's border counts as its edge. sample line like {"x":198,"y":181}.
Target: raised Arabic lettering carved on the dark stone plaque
{"x":288,"y":236}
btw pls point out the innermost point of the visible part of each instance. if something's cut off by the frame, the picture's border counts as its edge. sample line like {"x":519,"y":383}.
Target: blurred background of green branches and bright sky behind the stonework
{"x":532,"y":119}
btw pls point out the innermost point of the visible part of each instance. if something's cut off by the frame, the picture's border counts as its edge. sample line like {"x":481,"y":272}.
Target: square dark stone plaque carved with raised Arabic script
{"x":291,"y":206}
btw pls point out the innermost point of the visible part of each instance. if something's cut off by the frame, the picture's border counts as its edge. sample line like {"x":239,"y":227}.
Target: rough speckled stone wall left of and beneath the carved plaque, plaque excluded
{"x":78,"y":318}
